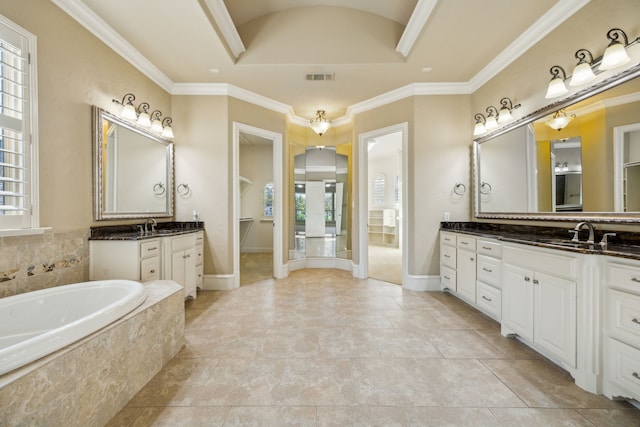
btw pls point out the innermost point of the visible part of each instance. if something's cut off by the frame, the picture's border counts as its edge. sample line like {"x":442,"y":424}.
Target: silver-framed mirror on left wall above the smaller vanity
{"x":133,"y":170}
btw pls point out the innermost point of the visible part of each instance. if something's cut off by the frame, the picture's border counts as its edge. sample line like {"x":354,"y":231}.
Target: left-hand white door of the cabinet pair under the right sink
{"x":517,"y":300}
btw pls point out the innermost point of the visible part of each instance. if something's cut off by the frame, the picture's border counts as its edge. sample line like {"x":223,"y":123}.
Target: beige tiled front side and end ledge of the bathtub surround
{"x":88,"y":382}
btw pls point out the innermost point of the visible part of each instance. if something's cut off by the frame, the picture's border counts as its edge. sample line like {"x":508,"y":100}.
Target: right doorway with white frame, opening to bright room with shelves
{"x":383,"y":204}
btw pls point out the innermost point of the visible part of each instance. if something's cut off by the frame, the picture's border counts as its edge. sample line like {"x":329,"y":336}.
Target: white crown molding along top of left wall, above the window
{"x":99,"y":28}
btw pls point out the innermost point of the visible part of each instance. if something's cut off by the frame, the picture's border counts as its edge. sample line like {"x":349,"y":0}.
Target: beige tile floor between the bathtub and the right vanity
{"x":323,"y":349}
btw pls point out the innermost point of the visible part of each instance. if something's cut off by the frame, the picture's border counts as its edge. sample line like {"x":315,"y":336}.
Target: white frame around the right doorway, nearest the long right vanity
{"x":363,"y":195}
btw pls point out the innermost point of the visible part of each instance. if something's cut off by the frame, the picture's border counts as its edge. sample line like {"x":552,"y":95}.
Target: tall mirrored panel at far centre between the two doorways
{"x":320,"y":203}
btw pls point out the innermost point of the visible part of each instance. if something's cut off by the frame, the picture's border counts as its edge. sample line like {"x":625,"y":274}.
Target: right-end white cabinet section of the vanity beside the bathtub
{"x":180,"y":261}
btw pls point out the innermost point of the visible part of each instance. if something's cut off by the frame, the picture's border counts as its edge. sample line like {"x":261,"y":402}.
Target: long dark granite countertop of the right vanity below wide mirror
{"x":624,"y":244}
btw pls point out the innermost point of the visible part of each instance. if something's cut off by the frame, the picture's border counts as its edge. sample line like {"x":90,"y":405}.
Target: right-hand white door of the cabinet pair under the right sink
{"x":555,"y":316}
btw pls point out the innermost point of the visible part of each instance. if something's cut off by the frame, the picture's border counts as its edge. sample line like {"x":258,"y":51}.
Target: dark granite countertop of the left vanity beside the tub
{"x":132,"y":231}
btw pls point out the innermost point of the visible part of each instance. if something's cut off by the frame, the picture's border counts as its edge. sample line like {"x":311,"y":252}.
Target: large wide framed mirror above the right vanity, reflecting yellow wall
{"x":520,"y":171}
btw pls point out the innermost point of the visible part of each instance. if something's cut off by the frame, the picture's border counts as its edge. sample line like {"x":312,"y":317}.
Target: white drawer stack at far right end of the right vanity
{"x":622,"y":329}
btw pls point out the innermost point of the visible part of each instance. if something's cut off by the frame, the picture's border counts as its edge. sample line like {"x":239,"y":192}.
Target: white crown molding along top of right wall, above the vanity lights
{"x":555,"y":16}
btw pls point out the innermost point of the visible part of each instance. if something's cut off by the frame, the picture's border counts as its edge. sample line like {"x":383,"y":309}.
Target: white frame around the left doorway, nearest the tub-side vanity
{"x":278,"y":203}
